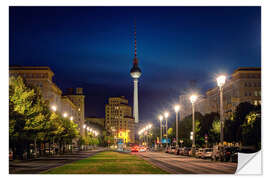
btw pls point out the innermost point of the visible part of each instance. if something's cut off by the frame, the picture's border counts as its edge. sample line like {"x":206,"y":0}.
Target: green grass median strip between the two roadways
{"x":108,"y":163}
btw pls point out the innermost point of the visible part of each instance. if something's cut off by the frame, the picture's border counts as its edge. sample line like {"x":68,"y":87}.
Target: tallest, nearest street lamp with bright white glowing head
{"x":220,"y":82}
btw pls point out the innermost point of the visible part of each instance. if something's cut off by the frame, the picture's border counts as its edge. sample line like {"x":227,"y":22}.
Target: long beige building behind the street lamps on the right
{"x":244,"y":85}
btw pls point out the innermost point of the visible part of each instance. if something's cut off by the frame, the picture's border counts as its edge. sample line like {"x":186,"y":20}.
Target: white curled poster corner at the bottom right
{"x":249,"y":163}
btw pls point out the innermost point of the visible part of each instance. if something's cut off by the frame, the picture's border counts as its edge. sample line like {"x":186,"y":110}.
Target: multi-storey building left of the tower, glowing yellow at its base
{"x":119,"y":119}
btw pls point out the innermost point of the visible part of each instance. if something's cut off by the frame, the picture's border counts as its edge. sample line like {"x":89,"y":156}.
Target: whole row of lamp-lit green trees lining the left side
{"x":30,"y":119}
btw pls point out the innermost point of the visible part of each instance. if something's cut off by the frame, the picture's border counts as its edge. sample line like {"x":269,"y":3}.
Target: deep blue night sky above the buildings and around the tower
{"x":93,"y":48}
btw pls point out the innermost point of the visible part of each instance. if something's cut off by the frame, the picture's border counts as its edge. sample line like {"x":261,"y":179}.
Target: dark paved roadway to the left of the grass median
{"x":41,"y":164}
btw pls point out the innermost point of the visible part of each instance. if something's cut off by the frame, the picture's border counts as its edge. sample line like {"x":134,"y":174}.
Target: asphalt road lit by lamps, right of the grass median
{"x":177,"y":164}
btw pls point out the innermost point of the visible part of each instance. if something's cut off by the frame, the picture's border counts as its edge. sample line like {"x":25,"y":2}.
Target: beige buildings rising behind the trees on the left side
{"x":41,"y":76}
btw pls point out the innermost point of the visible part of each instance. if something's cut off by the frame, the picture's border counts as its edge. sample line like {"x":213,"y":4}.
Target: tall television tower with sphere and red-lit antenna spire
{"x":135,"y":73}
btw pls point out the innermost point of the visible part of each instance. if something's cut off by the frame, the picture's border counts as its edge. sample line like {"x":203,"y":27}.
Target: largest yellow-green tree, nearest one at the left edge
{"x":27,"y":113}
